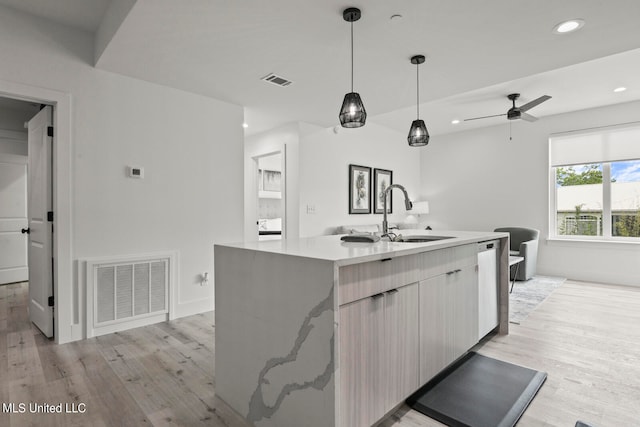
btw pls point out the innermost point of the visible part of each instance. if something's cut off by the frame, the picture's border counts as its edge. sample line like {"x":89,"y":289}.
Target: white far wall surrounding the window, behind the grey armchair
{"x":480,"y":180}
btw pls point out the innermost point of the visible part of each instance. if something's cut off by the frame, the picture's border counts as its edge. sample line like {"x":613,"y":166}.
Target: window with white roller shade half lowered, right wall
{"x":595,"y":184}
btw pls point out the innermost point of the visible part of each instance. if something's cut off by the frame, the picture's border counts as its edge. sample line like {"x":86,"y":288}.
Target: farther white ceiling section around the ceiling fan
{"x":577,"y":87}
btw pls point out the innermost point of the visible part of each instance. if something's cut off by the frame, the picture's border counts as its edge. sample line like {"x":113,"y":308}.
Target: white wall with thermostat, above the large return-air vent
{"x":189,"y":145}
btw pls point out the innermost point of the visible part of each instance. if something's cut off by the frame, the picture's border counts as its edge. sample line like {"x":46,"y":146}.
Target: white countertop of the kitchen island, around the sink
{"x":331,"y":248}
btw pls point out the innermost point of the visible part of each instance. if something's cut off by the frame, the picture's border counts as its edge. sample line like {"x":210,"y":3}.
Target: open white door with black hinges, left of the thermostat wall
{"x":41,"y":233}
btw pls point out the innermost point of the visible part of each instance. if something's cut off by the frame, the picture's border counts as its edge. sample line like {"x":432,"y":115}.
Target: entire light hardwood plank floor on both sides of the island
{"x":585,"y":336}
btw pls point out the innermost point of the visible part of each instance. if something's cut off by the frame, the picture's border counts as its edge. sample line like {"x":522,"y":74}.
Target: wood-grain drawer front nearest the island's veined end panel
{"x":359,"y":281}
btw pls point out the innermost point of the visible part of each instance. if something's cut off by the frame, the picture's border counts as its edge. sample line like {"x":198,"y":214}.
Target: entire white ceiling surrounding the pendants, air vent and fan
{"x":477,"y":53}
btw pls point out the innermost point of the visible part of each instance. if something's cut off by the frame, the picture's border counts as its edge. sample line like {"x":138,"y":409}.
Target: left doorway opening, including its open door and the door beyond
{"x":25,"y":187}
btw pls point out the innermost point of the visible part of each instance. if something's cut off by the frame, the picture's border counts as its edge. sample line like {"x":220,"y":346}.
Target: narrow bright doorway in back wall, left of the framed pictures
{"x":271,"y":200}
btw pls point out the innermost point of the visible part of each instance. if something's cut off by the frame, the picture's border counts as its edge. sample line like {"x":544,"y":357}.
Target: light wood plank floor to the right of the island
{"x":587,"y":338}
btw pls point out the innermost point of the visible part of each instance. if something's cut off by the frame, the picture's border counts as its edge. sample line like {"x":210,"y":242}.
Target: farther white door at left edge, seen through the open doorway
{"x":13,"y":218}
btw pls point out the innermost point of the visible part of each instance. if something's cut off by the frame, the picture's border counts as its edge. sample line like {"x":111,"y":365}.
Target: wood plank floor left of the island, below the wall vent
{"x":159,"y":375}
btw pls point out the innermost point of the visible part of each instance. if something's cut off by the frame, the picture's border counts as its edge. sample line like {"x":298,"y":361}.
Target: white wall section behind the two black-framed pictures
{"x":324,"y":179}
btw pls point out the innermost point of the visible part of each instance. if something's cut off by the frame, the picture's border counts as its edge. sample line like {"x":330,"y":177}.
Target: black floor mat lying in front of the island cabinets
{"x":478,"y":391}
